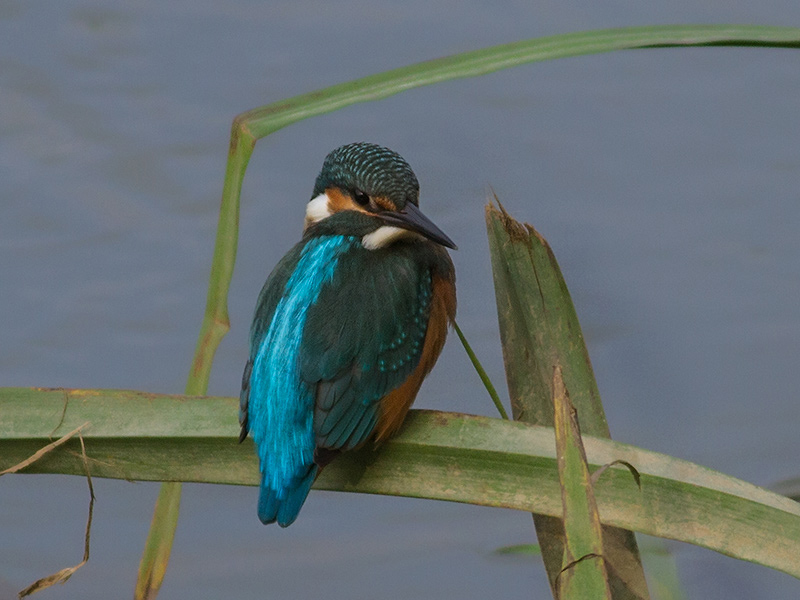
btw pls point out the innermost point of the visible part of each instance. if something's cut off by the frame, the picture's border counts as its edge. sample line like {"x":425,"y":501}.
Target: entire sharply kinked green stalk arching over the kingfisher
{"x":255,"y":124}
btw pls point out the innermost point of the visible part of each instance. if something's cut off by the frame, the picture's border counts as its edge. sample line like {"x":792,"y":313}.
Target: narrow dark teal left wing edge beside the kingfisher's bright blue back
{"x":267,"y":302}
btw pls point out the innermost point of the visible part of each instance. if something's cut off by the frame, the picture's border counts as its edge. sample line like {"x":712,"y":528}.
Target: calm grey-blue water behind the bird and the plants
{"x":667,"y":181}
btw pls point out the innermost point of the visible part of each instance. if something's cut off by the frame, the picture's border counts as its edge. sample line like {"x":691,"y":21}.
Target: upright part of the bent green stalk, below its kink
{"x":216,"y":323}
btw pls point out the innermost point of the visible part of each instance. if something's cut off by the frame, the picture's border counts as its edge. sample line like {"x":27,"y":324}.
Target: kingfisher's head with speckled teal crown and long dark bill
{"x":374,"y":182}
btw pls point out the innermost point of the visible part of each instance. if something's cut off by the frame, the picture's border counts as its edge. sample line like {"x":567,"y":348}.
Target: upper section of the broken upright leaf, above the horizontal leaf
{"x":539,"y":326}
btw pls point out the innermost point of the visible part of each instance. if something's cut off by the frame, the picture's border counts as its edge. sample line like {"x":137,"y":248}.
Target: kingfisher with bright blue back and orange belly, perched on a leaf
{"x":347,"y":326}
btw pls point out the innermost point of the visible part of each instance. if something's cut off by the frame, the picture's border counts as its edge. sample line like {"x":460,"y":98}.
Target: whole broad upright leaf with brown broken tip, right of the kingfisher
{"x":539,"y":330}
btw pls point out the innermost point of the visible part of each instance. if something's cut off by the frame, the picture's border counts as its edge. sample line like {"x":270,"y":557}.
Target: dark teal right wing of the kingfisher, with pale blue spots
{"x":363,"y":338}
